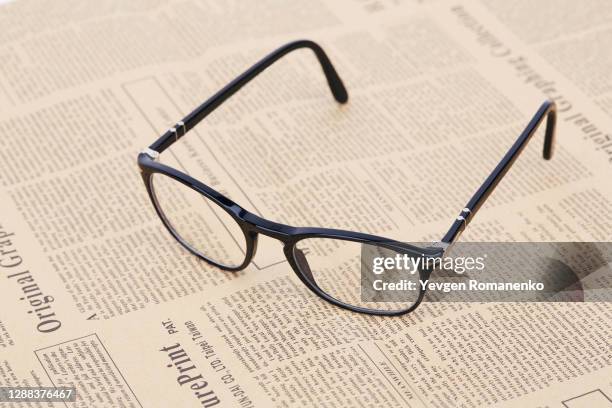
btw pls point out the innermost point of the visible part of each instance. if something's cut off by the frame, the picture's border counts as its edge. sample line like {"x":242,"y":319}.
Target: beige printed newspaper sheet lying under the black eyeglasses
{"x":96,"y":294}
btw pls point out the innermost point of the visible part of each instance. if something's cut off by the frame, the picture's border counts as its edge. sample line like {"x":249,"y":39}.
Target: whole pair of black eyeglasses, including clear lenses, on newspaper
{"x":328,"y":261}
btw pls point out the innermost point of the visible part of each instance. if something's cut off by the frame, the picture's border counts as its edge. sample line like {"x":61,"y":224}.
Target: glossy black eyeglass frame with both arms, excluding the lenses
{"x":252,"y":225}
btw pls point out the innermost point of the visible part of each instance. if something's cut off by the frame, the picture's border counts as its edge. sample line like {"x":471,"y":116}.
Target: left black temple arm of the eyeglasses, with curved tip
{"x":191,"y":120}
